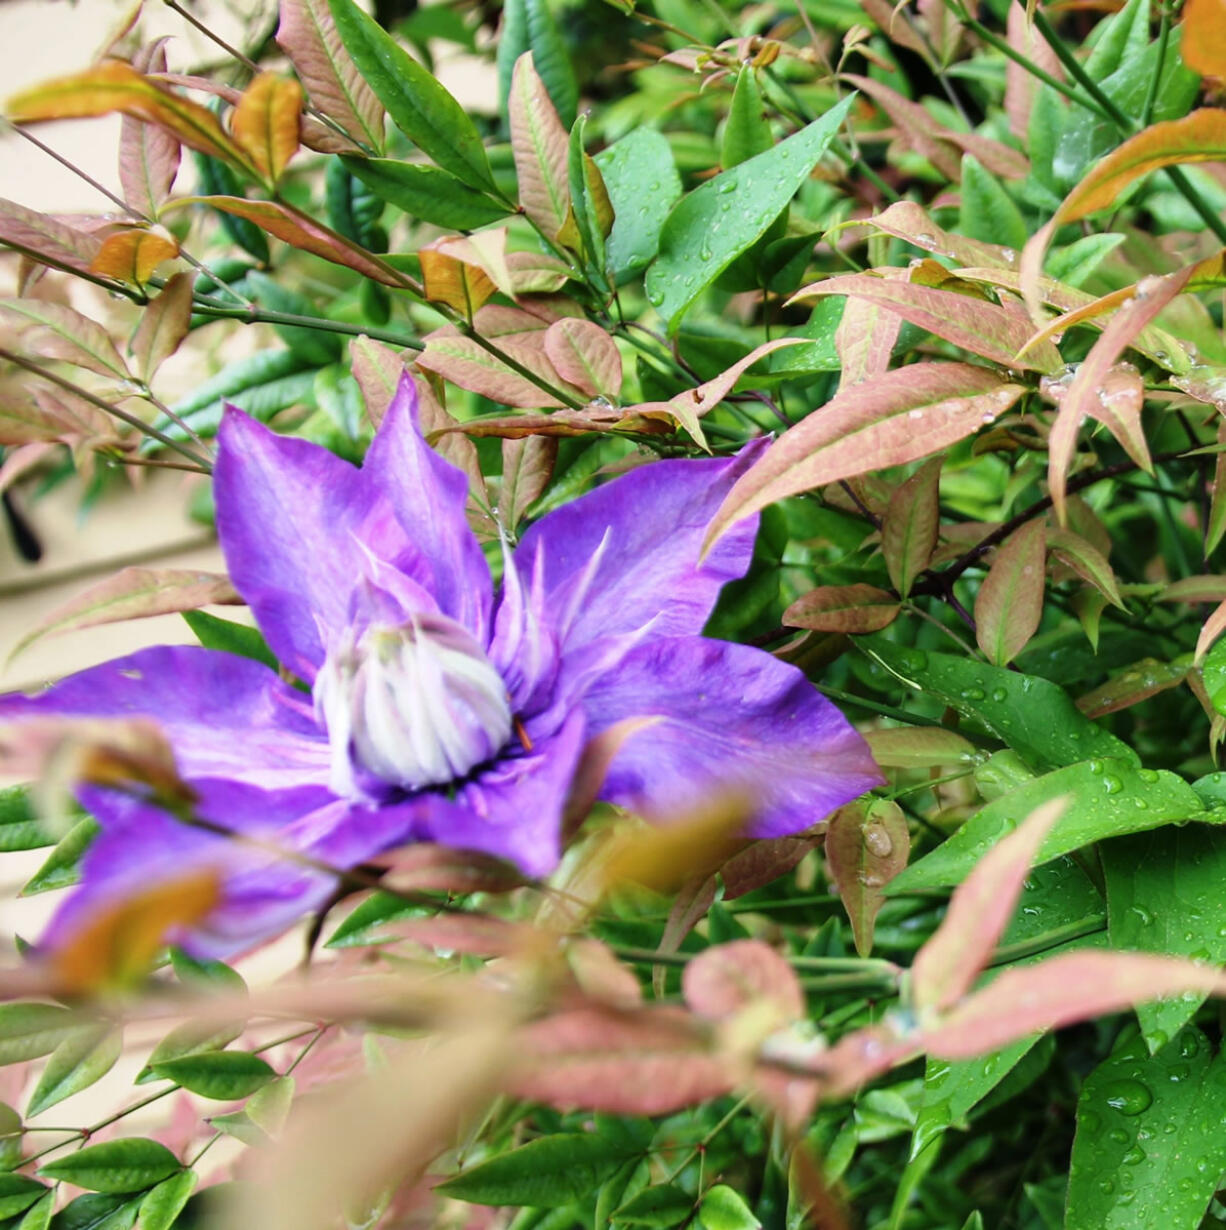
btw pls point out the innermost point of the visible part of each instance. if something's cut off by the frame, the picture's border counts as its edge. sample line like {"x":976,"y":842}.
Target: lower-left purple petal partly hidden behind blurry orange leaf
{"x":261,"y":894}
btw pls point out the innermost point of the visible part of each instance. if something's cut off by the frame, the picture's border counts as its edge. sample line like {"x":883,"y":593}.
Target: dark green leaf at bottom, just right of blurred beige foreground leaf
{"x":548,"y":1174}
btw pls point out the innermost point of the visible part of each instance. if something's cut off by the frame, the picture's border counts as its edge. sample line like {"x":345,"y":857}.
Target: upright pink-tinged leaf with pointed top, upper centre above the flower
{"x":540,"y":147}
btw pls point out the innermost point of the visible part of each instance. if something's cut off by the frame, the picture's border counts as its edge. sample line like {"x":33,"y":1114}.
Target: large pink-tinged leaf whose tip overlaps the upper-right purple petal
{"x":902,"y":416}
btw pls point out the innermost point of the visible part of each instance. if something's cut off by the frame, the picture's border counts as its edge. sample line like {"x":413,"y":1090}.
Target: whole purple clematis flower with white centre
{"x":440,"y":710}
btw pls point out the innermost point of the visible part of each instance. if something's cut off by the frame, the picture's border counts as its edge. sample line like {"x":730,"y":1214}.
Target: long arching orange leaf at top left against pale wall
{"x":115,"y":87}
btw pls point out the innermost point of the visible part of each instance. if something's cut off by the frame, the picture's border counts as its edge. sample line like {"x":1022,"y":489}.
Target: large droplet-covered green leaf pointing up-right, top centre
{"x":713,"y":226}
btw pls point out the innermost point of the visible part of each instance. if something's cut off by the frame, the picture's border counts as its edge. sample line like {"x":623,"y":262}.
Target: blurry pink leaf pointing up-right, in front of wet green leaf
{"x":979,"y":911}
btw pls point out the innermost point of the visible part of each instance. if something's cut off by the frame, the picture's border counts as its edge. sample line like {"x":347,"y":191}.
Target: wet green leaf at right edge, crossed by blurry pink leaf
{"x":1164,"y":895}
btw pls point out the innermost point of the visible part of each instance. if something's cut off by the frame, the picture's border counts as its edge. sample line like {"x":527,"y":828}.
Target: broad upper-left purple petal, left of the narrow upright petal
{"x":298,"y":527}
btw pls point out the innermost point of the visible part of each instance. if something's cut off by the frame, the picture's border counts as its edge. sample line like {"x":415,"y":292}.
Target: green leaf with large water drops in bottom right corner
{"x":1149,"y":1148}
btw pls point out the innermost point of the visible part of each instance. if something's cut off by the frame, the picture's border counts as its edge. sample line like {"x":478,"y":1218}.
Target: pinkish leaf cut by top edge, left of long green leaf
{"x":309,"y":38}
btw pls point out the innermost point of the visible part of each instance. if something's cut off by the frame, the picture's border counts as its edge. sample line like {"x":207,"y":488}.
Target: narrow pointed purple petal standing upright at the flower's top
{"x":429,"y":496}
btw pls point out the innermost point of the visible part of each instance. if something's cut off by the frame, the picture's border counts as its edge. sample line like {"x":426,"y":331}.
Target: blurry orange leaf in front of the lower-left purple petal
{"x":121,"y":943}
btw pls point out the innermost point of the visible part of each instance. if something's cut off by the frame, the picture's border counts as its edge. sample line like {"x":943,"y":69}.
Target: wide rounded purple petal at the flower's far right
{"x":732,"y":718}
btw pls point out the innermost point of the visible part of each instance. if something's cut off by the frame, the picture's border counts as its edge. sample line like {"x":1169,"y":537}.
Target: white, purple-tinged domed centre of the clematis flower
{"x":414,"y":705}
